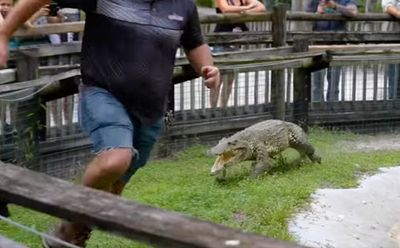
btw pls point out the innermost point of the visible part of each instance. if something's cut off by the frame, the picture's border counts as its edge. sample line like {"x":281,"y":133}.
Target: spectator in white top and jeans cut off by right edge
{"x":392,"y":7}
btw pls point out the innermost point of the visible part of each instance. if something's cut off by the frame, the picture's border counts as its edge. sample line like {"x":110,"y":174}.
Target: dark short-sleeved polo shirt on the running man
{"x":129,"y":48}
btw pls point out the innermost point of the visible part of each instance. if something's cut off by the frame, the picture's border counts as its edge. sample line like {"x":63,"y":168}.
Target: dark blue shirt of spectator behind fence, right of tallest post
{"x":328,"y":25}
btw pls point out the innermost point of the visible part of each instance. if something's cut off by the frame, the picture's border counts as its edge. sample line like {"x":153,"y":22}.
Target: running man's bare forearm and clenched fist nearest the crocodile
{"x":201,"y":60}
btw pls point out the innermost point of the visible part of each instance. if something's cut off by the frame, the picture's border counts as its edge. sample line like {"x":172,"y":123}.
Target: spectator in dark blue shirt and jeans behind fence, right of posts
{"x":346,"y":8}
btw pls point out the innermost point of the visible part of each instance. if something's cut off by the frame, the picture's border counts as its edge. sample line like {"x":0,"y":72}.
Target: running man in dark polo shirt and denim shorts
{"x":123,"y":95}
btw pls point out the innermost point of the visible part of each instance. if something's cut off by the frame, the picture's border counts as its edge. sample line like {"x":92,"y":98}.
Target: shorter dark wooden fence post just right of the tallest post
{"x":301,"y":88}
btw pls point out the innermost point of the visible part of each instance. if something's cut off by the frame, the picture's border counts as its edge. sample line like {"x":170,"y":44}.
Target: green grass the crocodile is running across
{"x":262,"y":205}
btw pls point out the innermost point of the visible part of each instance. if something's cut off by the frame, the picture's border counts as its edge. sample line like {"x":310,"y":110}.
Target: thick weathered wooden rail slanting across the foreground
{"x":121,"y":216}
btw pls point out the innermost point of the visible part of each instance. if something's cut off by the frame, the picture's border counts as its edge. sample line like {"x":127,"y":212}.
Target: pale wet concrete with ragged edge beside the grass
{"x":363,"y":217}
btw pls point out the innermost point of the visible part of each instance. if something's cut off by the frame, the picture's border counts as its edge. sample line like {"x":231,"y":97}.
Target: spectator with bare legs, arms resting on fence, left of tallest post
{"x":231,"y":6}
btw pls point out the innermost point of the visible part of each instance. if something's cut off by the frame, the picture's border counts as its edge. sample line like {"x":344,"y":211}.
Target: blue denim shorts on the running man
{"x":109,"y":126}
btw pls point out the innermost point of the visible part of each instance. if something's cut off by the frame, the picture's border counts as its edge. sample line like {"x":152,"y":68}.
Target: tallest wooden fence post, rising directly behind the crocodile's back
{"x":278,"y":76}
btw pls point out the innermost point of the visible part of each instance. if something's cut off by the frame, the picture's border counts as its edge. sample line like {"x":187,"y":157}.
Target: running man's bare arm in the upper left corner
{"x":21,"y":13}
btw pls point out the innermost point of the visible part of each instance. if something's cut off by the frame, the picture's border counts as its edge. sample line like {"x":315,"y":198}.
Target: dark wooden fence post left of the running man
{"x":30,"y":113}
